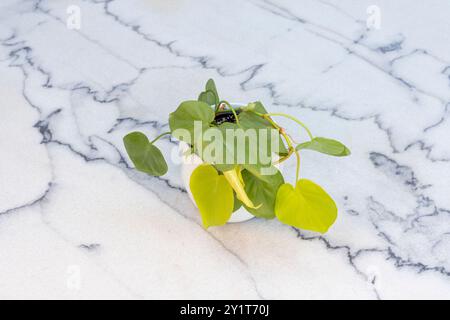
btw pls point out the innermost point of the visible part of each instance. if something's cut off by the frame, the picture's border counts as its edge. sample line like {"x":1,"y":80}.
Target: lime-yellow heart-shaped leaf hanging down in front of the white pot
{"x":212,"y":194}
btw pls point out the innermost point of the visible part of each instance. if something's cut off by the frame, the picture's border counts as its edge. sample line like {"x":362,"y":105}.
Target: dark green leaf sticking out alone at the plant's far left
{"x":144,"y":155}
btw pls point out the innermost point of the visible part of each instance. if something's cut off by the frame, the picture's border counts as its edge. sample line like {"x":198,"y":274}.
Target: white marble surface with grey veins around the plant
{"x":78,"y":222}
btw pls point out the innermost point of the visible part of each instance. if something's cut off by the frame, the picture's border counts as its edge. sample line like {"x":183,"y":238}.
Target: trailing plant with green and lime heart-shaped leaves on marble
{"x":239,"y":148}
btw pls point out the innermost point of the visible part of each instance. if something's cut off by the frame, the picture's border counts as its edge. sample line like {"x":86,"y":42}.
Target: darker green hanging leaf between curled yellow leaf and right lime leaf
{"x":262,"y":190}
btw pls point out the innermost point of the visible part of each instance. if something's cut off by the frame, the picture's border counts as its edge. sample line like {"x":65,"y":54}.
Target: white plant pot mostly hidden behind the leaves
{"x":188,"y":165}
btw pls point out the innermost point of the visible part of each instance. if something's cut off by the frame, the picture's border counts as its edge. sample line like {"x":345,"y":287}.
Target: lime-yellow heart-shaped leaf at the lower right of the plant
{"x":307,"y":206}
